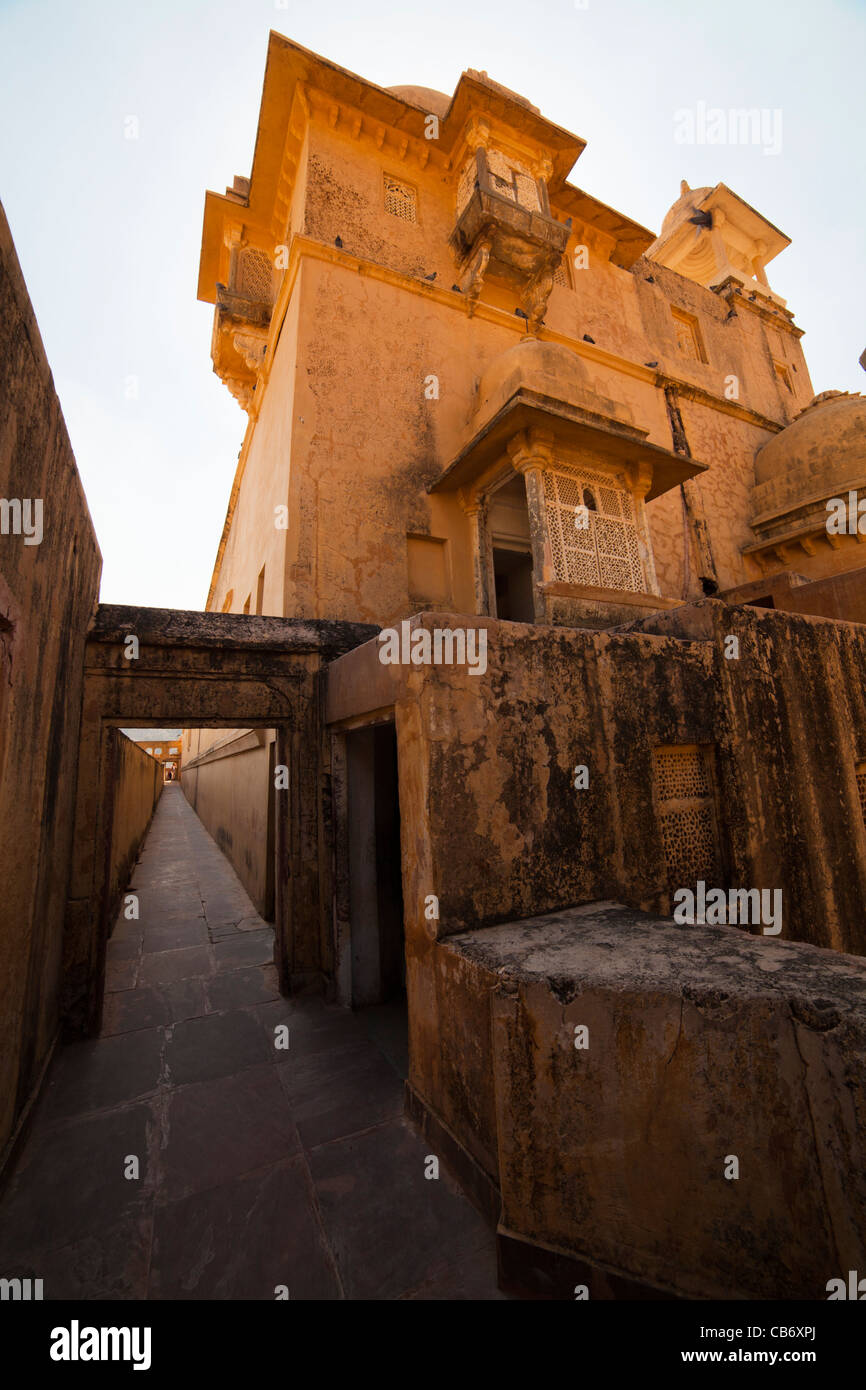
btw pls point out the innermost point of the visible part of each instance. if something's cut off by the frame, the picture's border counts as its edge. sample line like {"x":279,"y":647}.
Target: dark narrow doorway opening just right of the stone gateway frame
{"x":376,"y":885}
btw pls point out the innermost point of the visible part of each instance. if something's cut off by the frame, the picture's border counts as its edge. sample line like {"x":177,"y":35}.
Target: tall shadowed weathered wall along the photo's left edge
{"x":48,"y":593}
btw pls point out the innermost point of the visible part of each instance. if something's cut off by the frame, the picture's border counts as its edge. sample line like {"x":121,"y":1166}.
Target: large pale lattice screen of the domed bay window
{"x":593,"y":530}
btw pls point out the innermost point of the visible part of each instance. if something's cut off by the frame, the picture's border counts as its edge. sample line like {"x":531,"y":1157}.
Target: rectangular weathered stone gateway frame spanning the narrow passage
{"x":169,"y":668}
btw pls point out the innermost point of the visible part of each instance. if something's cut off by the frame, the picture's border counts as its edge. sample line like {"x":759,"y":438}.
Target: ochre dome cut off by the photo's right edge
{"x":826,"y":444}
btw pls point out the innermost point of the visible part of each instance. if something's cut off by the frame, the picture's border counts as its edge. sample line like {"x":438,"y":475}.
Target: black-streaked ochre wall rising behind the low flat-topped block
{"x":494,"y":826}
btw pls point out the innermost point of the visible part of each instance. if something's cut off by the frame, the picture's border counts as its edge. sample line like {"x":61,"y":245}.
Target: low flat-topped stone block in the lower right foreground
{"x":707,"y":1136}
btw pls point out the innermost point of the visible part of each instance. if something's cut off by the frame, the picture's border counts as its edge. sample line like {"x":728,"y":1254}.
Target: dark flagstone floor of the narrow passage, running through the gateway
{"x":184,"y":1156}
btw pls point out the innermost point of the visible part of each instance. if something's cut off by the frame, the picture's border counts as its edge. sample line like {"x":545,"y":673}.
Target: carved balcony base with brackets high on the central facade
{"x":497,"y":237}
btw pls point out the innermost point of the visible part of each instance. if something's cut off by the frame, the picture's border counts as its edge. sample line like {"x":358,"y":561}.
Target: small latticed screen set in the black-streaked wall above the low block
{"x":685,"y":797}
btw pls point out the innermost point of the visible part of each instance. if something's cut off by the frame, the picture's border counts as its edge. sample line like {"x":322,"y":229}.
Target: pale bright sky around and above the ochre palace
{"x":109,"y":230}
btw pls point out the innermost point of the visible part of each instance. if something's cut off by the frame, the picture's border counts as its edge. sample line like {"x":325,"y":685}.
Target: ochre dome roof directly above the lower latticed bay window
{"x":547,"y":370}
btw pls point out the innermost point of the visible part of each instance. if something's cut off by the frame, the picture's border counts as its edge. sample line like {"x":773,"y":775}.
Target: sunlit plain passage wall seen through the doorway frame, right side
{"x":231,"y":794}
